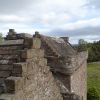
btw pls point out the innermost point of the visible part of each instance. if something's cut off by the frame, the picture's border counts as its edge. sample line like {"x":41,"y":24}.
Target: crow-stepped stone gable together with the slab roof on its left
{"x":24,"y":74}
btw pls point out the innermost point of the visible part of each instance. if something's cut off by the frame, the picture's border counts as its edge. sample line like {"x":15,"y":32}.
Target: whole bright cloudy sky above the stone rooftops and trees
{"x":77,"y":19}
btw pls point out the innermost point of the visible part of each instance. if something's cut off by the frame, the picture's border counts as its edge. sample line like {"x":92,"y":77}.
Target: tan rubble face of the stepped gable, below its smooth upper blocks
{"x":36,"y":82}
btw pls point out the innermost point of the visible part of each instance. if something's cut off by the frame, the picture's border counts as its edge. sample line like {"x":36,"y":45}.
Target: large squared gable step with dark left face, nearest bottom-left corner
{"x":13,"y":84}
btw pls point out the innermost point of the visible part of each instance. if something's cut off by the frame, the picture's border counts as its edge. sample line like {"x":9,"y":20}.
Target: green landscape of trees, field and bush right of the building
{"x":93,"y":66}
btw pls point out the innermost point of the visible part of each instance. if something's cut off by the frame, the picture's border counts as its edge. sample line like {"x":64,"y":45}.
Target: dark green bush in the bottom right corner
{"x":93,"y":94}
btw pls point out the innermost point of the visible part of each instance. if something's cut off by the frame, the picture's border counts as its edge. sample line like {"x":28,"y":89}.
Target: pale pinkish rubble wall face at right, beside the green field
{"x":79,"y":77}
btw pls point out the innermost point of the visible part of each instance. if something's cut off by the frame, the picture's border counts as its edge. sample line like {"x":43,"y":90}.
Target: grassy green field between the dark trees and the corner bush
{"x":94,"y":75}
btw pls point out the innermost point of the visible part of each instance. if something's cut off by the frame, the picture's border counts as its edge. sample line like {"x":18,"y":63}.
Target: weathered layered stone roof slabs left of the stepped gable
{"x":10,"y":51}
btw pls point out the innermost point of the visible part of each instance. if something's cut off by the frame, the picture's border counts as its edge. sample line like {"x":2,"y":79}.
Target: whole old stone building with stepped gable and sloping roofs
{"x":40,"y":67}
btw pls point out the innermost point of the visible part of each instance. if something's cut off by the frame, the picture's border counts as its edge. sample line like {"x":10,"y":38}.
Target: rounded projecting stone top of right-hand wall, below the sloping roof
{"x":72,"y":63}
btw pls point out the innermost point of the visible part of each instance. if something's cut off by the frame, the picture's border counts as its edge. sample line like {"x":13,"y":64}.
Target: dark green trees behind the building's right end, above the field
{"x":92,"y":48}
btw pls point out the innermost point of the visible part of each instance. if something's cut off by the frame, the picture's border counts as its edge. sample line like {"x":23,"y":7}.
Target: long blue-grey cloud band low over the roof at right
{"x":77,"y":32}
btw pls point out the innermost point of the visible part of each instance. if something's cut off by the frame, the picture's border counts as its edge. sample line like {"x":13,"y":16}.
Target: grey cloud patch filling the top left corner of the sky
{"x":14,"y":6}
